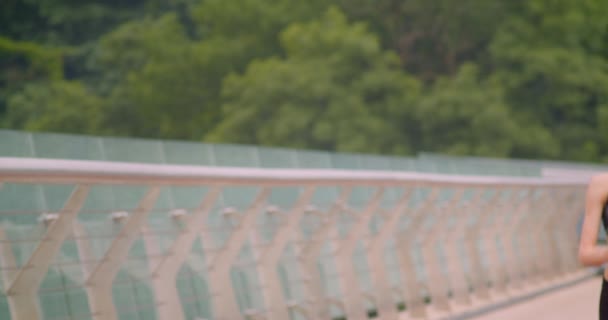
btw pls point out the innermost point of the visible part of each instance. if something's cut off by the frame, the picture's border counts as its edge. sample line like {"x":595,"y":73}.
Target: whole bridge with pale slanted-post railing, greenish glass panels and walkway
{"x":100,"y":228}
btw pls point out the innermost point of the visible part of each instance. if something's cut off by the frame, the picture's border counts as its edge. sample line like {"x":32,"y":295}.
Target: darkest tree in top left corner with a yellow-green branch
{"x":45,"y":41}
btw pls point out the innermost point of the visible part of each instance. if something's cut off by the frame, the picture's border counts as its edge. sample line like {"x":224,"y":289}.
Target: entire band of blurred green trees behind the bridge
{"x":517,"y":78}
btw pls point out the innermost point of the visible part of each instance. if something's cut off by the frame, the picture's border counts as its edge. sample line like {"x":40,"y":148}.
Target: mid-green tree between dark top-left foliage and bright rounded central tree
{"x":163,"y":81}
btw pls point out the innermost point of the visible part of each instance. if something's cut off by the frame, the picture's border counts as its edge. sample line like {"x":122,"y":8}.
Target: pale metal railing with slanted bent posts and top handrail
{"x":458,"y":241}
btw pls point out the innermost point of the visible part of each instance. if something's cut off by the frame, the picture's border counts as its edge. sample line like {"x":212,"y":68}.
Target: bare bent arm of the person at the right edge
{"x":589,"y":252}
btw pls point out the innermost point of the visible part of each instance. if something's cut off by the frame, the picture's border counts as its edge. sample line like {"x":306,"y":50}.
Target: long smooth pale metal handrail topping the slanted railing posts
{"x":54,"y":171}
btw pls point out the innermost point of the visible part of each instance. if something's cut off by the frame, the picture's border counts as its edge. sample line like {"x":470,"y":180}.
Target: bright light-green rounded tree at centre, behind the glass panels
{"x":336,"y":89}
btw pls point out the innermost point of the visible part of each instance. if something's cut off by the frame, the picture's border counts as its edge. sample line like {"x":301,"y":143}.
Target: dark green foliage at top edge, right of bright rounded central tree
{"x":434,"y":37}
